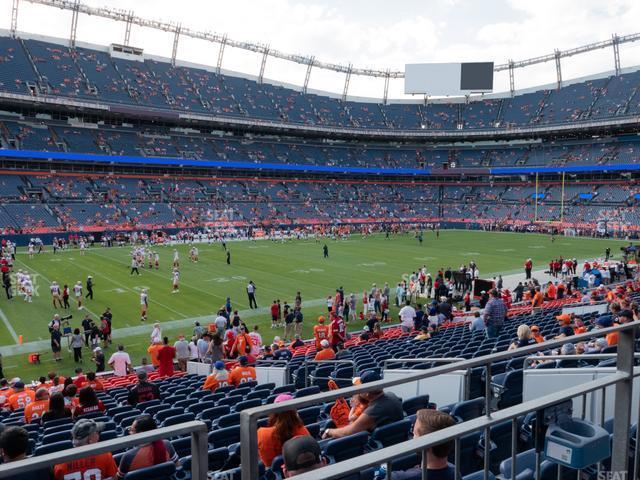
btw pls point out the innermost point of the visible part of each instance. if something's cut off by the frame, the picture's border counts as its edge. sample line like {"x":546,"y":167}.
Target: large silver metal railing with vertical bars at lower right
{"x":622,"y":379}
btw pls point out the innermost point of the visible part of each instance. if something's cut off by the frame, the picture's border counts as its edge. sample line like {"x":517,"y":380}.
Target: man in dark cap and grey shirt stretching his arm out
{"x":383,"y":408}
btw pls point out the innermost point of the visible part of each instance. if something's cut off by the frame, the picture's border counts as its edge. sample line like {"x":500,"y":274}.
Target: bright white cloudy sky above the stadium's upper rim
{"x":378,"y":34}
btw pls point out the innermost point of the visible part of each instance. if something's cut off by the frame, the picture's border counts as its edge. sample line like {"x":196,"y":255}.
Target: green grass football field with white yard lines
{"x":278,"y":270}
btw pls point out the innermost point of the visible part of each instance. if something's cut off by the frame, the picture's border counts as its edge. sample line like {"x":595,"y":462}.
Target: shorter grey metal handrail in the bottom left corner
{"x":199,"y":450}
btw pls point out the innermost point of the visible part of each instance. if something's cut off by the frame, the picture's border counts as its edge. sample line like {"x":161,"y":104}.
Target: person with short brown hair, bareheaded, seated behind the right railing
{"x":438,"y":466}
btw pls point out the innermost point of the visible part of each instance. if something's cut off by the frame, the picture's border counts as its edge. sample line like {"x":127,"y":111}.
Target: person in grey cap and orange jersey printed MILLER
{"x":86,"y":432}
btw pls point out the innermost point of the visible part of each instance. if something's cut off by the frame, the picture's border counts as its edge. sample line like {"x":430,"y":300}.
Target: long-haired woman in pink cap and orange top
{"x":282,"y":426}
